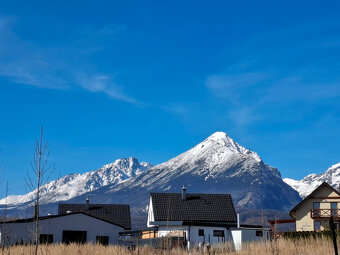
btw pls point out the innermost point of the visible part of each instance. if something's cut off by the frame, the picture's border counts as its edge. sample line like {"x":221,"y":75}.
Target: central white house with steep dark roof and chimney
{"x":200,"y":218}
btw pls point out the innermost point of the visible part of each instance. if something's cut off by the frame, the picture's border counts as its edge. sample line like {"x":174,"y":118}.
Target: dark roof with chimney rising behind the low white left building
{"x":116,"y":214}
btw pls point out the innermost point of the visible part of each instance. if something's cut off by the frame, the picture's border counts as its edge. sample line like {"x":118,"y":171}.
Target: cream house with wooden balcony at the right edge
{"x":315,"y":211}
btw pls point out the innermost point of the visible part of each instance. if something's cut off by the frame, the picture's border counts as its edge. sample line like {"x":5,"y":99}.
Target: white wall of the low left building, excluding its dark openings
{"x":23,"y":232}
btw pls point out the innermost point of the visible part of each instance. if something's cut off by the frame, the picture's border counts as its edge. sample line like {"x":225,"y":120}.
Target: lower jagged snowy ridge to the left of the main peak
{"x":73,"y":185}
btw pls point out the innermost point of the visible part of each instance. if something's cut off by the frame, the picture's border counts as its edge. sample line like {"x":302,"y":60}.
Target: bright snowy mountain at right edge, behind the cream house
{"x":306,"y":185}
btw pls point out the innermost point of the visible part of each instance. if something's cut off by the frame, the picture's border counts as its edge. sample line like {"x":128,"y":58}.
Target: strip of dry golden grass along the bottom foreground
{"x":321,"y":246}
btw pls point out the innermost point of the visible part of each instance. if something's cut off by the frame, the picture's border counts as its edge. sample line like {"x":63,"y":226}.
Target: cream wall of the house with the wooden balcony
{"x":304,"y":222}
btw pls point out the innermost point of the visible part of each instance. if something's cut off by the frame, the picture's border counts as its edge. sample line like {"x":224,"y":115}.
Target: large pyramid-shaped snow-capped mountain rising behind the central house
{"x":216,"y":165}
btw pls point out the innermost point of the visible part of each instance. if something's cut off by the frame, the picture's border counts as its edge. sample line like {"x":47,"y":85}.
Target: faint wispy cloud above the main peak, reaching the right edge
{"x":247,"y":94}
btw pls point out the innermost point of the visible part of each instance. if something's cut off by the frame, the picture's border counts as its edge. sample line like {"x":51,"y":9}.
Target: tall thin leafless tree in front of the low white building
{"x":41,"y":170}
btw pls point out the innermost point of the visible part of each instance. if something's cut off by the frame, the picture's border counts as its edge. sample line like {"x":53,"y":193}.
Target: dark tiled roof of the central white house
{"x":204,"y":208}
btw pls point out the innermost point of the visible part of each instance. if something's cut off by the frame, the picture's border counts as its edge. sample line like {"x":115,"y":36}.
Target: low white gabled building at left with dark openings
{"x":63,"y":228}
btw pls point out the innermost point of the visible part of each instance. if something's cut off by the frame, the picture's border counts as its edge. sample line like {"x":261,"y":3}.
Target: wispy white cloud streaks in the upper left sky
{"x":61,"y":66}
